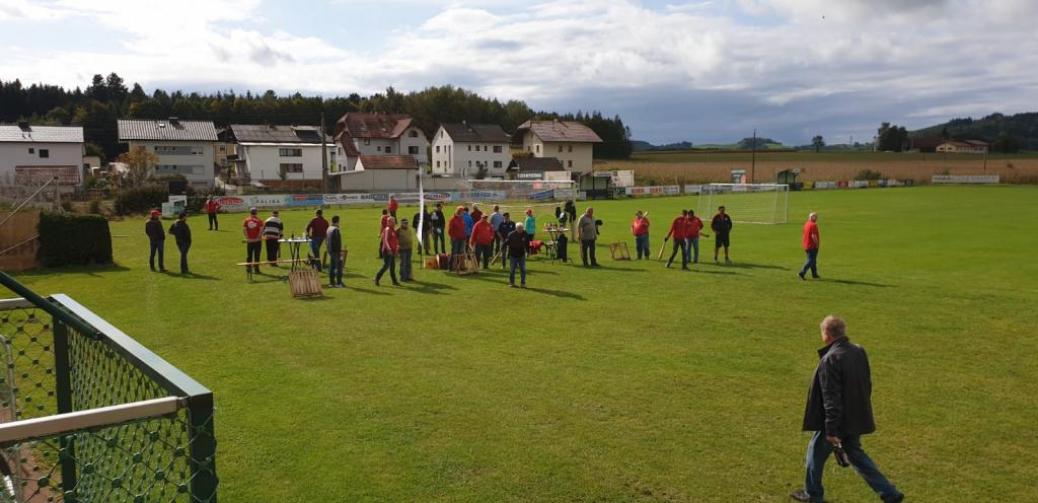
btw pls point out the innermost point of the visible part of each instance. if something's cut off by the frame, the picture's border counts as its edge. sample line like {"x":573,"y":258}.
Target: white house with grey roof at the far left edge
{"x":31,"y":155}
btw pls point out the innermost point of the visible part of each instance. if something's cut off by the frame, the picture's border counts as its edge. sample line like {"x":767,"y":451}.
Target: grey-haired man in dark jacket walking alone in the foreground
{"x":839,"y":412}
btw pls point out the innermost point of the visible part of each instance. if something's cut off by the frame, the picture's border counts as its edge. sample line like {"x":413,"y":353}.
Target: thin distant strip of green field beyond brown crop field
{"x":829,"y":157}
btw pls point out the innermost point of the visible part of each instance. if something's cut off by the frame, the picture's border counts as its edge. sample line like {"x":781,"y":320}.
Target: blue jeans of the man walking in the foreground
{"x":820,"y":451}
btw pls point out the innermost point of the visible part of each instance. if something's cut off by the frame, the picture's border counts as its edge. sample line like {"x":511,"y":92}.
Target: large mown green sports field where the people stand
{"x":630,"y":383}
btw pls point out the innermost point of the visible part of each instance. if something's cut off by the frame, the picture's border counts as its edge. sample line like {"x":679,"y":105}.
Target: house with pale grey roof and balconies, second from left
{"x":183,"y":147}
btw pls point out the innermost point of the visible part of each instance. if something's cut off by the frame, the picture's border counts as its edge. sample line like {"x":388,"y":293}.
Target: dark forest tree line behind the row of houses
{"x":107,"y":99}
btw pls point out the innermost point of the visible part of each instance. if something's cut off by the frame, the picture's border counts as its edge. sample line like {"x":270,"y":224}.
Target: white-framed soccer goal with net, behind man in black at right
{"x":751,"y":204}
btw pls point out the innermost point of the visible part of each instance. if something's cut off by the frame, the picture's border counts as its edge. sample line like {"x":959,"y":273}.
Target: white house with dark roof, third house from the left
{"x":283,"y":156}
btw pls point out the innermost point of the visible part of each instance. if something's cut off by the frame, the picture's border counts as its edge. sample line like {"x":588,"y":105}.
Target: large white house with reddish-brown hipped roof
{"x":379,"y":134}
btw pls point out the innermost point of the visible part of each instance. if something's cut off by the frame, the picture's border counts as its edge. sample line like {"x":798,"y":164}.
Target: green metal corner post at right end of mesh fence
{"x":203,"y":451}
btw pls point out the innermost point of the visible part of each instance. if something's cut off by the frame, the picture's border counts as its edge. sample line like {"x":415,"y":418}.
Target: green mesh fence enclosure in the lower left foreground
{"x":51,"y":369}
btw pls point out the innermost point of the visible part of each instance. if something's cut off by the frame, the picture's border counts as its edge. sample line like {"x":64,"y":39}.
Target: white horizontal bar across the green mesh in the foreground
{"x":76,"y":422}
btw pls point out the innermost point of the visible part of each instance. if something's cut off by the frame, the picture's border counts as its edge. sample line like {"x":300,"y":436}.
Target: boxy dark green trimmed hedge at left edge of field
{"x":74,"y":240}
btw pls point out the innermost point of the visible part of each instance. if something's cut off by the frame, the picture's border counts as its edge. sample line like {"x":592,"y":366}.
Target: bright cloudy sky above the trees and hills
{"x":703,"y":72}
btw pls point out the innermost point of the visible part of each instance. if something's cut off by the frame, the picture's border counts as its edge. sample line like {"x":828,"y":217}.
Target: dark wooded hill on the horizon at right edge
{"x":1004,"y":132}
